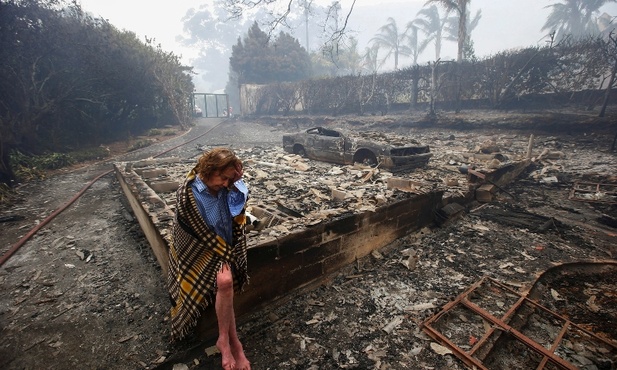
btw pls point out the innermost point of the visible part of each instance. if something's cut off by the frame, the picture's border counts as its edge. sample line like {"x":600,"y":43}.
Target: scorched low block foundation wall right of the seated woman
{"x":300,"y":258}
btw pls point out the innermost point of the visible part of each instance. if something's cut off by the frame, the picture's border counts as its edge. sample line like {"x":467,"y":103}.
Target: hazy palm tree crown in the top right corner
{"x":575,"y":18}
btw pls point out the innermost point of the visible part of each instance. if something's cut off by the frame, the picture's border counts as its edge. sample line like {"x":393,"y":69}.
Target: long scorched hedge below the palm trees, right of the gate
{"x":570,"y":73}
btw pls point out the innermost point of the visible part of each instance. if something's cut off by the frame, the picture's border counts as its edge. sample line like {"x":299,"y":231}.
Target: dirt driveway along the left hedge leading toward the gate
{"x":85,"y":291}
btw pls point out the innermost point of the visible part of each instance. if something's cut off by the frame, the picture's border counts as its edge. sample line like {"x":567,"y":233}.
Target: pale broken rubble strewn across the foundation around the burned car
{"x":313,"y":191}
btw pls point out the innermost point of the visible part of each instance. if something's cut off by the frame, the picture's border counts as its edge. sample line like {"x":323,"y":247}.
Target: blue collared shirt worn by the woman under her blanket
{"x":218,"y":210}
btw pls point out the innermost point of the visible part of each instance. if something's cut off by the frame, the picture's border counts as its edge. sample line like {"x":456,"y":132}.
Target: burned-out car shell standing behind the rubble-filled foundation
{"x":370,"y":148}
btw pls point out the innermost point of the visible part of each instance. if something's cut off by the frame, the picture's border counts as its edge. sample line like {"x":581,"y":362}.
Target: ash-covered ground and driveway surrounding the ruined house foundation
{"x":86,"y":291}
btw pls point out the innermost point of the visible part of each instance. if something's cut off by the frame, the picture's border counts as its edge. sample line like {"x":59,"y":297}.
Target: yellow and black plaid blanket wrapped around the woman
{"x":196,"y":254}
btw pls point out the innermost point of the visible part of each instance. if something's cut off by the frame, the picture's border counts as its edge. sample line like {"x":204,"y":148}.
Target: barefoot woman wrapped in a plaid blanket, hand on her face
{"x":207,"y":256}
